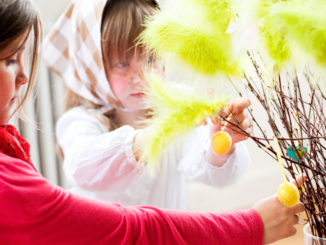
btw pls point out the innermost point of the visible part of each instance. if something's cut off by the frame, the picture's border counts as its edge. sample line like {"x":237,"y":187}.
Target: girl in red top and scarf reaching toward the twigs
{"x":33,"y":211}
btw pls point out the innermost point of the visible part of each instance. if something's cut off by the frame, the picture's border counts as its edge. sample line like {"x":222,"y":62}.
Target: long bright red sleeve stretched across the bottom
{"x":32,"y":211}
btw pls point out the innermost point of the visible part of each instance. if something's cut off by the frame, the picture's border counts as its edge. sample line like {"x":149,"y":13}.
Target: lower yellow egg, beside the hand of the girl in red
{"x":288,"y":194}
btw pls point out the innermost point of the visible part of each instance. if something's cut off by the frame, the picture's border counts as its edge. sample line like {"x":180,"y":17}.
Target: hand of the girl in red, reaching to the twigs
{"x":279,"y":220}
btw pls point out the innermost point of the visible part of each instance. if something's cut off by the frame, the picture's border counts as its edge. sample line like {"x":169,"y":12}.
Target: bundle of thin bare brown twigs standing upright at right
{"x":295,"y":113}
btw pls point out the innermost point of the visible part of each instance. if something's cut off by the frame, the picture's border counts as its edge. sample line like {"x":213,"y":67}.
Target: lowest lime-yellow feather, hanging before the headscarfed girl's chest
{"x":174,"y":114}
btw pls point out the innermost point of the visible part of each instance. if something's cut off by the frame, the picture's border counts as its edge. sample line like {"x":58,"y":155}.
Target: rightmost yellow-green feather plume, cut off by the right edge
{"x":305,"y":25}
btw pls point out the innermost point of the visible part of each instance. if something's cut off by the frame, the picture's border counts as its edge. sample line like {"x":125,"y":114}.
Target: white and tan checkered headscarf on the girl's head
{"x":73,"y":50}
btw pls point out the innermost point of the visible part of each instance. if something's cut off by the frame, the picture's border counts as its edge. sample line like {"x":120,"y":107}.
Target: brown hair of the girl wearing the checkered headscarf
{"x":122,"y":22}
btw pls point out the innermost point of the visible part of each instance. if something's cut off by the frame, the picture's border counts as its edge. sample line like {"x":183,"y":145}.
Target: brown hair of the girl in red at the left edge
{"x":18,"y":16}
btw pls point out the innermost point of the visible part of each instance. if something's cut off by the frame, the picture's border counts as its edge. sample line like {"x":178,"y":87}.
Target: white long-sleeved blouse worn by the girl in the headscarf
{"x":100,"y":164}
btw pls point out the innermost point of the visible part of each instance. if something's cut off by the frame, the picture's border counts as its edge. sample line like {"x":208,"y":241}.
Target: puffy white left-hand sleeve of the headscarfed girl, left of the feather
{"x":94,"y":158}
